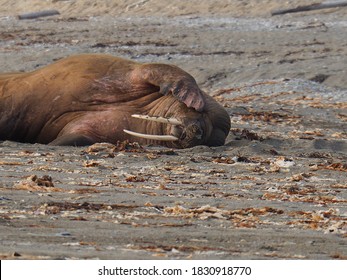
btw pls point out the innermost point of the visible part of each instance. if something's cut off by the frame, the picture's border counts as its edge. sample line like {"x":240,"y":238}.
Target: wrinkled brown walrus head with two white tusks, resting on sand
{"x":183,"y":127}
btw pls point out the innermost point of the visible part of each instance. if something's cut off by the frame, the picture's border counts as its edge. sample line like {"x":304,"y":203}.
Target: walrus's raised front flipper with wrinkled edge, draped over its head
{"x":173,"y":80}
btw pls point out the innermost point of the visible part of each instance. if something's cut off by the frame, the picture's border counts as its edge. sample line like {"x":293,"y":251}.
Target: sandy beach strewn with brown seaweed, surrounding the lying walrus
{"x":276,"y":190}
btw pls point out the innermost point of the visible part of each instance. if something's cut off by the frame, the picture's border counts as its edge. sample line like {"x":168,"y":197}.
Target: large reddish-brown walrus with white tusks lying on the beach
{"x":89,"y":98}
